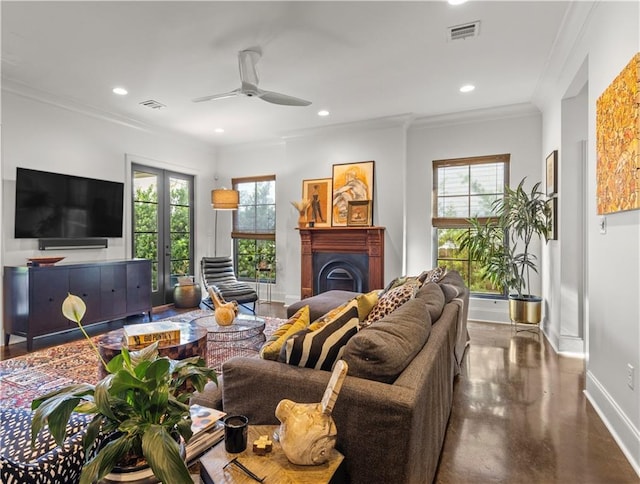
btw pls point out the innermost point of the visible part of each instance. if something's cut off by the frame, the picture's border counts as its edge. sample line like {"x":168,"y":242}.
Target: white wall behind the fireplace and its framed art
{"x":312,"y":155}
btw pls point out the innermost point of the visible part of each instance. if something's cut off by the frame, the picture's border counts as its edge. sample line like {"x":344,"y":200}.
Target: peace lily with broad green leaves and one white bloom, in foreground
{"x":141,"y":406}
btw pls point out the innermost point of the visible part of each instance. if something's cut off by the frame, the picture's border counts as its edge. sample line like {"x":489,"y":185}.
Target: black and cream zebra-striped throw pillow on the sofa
{"x":320,"y":349}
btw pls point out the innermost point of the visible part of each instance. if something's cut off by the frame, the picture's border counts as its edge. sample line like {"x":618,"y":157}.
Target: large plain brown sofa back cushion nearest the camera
{"x":383,"y":350}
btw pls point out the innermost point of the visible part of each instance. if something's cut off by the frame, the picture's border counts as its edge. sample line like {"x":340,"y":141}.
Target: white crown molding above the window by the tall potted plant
{"x":476,"y":115}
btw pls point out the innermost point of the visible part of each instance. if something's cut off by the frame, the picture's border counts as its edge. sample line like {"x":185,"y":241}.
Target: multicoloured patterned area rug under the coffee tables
{"x":24,"y":377}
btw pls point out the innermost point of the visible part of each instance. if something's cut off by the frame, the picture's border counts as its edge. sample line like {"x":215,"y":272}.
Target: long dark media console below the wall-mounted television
{"x":33,"y":296}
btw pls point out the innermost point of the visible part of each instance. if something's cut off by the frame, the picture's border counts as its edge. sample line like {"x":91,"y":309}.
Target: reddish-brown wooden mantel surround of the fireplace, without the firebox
{"x":348,"y":240}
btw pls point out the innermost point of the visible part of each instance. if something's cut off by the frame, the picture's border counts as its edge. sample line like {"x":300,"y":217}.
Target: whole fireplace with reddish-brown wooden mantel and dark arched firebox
{"x":345,"y":258}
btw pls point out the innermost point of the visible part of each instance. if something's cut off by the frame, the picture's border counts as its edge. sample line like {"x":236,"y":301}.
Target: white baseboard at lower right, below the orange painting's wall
{"x":626,"y":435}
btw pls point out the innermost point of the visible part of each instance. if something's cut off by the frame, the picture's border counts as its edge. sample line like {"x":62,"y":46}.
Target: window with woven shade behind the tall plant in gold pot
{"x":465,"y":188}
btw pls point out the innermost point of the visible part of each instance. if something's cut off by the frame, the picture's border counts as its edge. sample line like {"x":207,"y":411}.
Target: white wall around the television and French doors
{"x":42,"y":136}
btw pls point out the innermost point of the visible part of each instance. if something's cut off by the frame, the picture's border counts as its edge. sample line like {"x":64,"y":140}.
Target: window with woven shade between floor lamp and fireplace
{"x":254,"y":227}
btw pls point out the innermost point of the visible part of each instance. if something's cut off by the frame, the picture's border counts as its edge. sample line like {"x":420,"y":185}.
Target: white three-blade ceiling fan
{"x":247,"y":60}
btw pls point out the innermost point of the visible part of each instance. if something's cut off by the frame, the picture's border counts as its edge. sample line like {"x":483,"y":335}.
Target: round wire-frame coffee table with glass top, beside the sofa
{"x":243,"y":337}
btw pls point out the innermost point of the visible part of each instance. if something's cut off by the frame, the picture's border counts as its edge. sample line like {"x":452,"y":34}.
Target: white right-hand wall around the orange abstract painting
{"x":607,"y":43}
